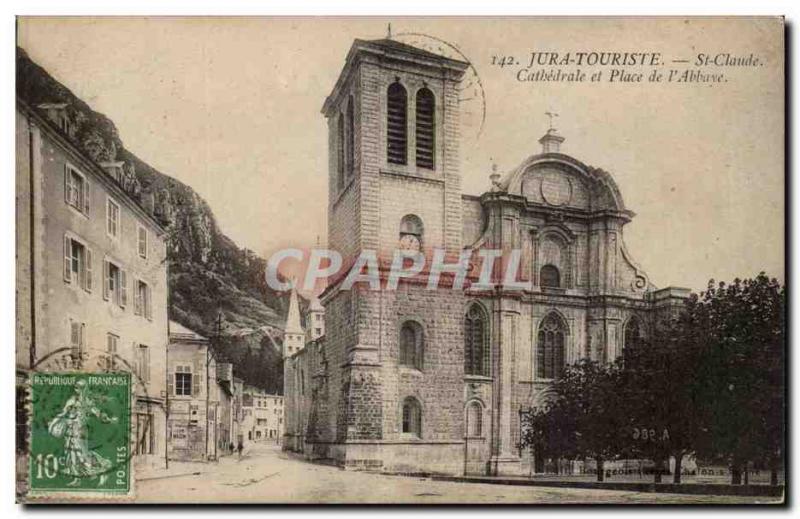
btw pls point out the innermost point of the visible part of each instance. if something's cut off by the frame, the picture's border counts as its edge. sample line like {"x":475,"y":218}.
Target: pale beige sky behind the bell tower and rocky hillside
{"x":231,"y":106}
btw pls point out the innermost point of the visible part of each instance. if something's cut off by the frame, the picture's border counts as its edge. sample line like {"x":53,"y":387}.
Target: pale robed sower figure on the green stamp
{"x":71,"y":423}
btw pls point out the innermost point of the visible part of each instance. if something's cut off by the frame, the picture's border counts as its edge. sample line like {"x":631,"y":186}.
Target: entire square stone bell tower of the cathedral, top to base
{"x":394,"y":183}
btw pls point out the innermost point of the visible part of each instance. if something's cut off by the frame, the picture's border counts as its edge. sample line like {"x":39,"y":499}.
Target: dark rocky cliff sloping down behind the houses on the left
{"x":209,"y":274}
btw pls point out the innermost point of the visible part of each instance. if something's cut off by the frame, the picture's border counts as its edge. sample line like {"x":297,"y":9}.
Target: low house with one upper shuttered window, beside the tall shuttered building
{"x":200,"y":398}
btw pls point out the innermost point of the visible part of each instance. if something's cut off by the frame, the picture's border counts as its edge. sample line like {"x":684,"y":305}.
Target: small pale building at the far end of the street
{"x":262,"y":416}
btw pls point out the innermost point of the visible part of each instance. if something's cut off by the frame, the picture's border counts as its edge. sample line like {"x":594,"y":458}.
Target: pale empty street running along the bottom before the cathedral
{"x":265,"y":474}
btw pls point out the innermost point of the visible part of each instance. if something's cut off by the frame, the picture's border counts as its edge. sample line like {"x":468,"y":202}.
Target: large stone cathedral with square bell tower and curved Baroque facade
{"x":420,"y":381}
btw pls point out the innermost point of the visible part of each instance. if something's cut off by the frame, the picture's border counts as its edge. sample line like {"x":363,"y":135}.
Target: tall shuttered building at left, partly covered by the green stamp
{"x":90,"y":269}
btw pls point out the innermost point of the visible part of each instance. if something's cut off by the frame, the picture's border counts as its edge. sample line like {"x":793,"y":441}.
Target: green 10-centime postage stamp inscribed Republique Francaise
{"x":80,"y":432}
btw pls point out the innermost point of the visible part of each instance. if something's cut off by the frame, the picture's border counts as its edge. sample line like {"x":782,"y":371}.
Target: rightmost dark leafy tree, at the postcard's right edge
{"x":741,"y":372}
